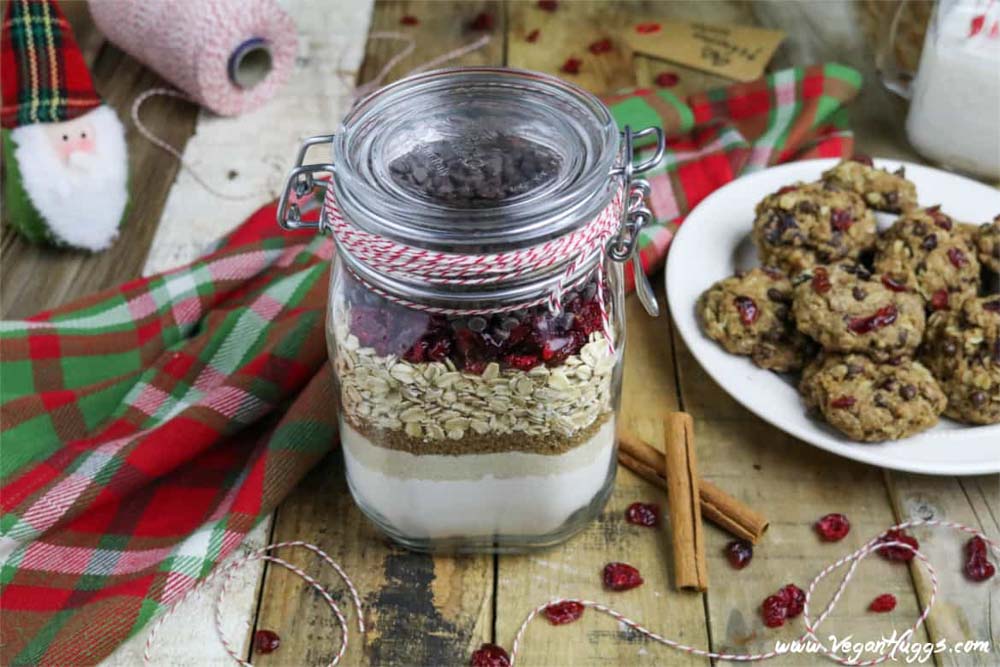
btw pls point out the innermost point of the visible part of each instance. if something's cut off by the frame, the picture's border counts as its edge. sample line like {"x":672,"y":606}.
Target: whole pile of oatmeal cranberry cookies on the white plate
{"x":888,"y":330}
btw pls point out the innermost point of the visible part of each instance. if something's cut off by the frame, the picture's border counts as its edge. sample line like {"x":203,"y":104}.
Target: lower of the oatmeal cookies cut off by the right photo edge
{"x":962,"y":349}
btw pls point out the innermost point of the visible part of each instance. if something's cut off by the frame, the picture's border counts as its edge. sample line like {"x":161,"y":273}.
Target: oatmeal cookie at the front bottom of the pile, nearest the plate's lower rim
{"x":869,"y":401}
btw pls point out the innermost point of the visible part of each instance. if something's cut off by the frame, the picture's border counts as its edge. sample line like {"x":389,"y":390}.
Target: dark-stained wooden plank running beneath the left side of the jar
{"x":420,"y":609}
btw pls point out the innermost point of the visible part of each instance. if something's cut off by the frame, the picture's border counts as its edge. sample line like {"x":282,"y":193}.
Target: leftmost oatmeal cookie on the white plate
{"x":749,"y":314}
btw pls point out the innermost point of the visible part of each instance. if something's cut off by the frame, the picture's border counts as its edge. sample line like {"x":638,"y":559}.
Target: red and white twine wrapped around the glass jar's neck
{"x":409,"y":263}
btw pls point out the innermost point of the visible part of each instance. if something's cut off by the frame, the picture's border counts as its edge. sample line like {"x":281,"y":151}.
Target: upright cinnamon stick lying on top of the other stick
{"x":681,"y":471}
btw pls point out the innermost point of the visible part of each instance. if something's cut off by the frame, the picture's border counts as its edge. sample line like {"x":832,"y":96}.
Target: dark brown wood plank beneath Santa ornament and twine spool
{"x":38,"y":277}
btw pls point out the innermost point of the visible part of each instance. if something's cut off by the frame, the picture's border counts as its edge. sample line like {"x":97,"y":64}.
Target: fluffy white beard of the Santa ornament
{"x":82,"y":202}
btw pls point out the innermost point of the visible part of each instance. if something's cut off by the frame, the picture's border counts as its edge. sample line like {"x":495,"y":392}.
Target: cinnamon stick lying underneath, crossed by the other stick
{"x":722,"y":509}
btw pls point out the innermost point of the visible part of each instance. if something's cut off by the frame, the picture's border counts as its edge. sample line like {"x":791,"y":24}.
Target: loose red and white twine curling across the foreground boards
{"x":811,"y":627}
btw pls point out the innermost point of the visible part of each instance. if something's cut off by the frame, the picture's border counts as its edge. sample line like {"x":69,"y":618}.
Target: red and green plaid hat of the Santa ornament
{"x":44,"y":78}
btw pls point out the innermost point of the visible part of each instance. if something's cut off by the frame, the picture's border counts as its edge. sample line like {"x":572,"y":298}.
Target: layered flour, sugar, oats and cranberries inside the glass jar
{"x":475,"y":425}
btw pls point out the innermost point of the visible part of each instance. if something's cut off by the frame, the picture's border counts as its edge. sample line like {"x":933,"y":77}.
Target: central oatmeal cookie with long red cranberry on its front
{"x":845,"y":309}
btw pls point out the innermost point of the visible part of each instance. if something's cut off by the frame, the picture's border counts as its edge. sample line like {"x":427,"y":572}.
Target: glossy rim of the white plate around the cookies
{"x":685,"y":322}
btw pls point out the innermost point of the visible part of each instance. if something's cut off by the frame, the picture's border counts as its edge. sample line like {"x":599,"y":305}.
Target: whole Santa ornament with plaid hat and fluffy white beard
{"x":65,"y":158}
